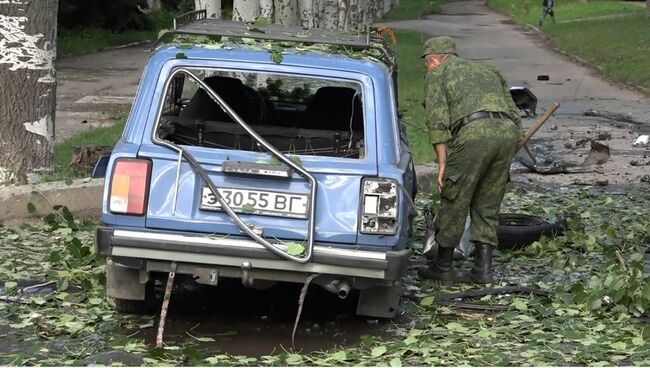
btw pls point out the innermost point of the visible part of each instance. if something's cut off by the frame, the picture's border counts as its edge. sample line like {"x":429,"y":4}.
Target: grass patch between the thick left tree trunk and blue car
{"x":94,"y":137}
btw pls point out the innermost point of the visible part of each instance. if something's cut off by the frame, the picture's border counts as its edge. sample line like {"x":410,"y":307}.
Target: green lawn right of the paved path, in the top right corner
{"x":618,"y":47}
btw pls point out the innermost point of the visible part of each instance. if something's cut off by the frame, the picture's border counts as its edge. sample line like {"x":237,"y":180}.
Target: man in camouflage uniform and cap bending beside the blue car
{"x":474,"y":126}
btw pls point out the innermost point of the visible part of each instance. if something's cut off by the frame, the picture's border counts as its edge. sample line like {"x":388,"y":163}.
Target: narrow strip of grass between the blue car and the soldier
{"x":411,"y":93}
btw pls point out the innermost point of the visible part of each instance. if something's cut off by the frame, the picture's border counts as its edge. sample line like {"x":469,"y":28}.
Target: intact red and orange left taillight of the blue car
{"x":129,"y":186}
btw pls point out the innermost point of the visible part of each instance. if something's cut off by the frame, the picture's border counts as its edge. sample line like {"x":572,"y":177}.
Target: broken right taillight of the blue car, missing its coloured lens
{"x":378,"y":206}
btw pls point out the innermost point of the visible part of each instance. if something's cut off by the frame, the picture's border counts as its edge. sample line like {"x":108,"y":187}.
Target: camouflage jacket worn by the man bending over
{"x":460,"y":87}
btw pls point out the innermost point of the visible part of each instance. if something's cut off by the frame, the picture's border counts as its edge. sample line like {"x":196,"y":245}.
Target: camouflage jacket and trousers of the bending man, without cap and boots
{"x":479,"y":152}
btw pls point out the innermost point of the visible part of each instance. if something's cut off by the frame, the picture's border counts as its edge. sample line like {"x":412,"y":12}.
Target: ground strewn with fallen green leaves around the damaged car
{"x":596,"y":314}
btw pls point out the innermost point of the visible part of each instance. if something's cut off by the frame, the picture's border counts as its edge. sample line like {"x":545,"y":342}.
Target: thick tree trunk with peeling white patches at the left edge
{"x":28,"y":93}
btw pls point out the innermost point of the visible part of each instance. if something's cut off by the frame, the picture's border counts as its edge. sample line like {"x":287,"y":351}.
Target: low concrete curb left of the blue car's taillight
{"x":83,"y":197}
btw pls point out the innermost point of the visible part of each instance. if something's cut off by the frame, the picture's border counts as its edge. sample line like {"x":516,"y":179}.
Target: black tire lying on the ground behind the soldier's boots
{"x":517,"y":230}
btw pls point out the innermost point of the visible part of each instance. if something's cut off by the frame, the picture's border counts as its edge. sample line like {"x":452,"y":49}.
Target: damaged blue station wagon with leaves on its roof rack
{"x":264,"y":154}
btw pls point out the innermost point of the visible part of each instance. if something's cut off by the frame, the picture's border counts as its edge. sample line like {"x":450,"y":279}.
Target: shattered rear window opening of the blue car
{"x":296,"y":114}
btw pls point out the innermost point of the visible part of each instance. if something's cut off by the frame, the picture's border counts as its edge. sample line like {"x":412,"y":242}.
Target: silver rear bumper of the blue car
{"x":154,"y":250}
